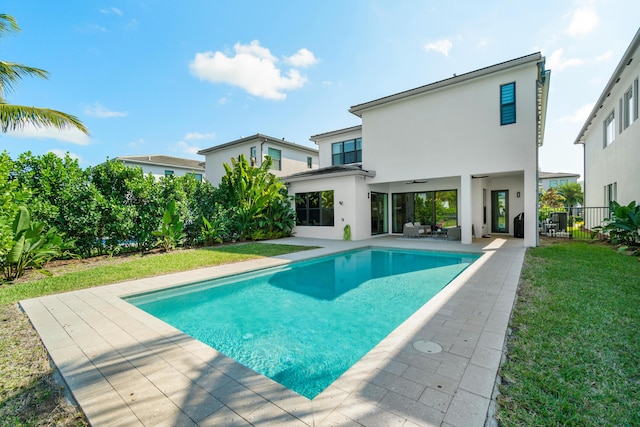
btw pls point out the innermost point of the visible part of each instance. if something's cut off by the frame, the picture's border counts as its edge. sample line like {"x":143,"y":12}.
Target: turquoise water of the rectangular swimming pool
{"x":304,"y":324}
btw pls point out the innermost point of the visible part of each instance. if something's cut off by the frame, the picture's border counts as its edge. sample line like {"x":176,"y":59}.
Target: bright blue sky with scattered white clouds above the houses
{"x":172,"y":77}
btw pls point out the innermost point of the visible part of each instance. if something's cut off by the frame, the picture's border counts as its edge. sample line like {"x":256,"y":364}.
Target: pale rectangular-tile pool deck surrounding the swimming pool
{"x":126,"y":368}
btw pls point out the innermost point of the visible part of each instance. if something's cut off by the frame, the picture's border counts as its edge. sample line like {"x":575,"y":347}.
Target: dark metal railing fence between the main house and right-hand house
{"x":574,"y":223}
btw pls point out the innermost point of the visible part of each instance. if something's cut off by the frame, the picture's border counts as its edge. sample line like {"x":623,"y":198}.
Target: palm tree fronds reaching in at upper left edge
{"x":15,"y":117}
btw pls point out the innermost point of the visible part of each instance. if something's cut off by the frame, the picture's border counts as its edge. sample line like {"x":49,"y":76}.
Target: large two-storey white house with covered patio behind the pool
{"x":461,"y":152}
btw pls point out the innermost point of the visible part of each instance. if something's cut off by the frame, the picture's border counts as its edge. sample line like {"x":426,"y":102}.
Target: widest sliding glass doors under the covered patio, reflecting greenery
{"x":436,"y":208}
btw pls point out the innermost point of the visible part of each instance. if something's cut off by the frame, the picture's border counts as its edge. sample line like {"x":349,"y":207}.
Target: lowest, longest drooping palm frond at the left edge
{"x":15,"y":117}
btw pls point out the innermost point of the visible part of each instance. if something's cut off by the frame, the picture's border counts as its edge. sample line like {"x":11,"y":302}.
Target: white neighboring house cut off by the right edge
{"x":611,"y":136}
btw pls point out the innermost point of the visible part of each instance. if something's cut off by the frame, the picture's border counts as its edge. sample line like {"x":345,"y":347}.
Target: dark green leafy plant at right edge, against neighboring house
{"x":623,"y":226}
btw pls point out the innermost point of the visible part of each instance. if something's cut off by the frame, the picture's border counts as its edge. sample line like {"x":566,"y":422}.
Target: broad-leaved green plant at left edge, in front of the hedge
{"x":32,"y":247}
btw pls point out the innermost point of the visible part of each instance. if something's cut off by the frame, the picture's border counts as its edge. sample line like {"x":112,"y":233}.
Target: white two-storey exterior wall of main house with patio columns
{"x":455,"y":132}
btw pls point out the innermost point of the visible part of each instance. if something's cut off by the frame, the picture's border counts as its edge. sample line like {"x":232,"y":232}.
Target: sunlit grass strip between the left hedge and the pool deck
{"x":29,"y":394}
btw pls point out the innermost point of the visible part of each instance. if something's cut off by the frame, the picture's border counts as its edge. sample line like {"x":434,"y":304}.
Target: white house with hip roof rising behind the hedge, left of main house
{"x":287,"y":157}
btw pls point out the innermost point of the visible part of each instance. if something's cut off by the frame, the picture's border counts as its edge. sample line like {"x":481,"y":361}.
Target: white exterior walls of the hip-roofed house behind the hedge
{"x":292,"y":160}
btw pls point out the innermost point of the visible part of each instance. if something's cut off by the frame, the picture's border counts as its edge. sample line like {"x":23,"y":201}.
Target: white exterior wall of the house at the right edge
{"x":619,"y":162}
